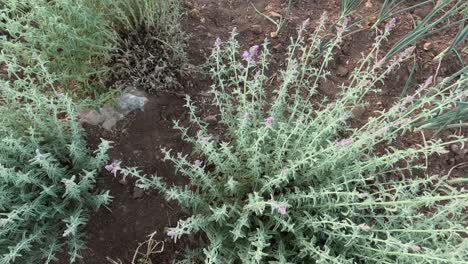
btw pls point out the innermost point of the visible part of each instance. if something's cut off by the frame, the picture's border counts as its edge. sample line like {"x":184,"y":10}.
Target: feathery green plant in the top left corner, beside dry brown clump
{"x":66,"y":43}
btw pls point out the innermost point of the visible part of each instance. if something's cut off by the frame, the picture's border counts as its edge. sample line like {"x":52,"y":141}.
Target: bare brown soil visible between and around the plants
{"x":115,"y":231}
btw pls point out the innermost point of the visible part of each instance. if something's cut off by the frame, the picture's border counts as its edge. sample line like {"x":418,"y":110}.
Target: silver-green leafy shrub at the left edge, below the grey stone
{"x":46,"y":177}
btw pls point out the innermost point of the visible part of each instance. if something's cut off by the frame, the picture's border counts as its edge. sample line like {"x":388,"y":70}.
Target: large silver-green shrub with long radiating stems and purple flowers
{"x":291,"y":181}
